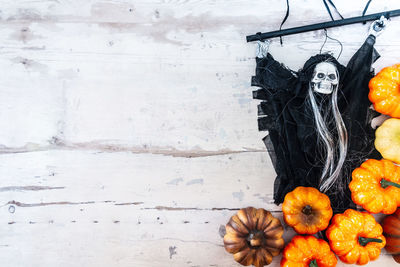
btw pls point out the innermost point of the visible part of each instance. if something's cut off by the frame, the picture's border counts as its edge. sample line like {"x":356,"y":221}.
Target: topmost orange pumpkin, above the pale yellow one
{"x":385,"y":91}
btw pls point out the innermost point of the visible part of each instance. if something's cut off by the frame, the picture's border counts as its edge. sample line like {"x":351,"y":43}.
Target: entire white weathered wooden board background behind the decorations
{"x":128,"y":131}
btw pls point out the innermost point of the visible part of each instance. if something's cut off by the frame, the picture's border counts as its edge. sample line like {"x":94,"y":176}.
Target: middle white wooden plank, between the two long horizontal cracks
{"x":152,"y":181}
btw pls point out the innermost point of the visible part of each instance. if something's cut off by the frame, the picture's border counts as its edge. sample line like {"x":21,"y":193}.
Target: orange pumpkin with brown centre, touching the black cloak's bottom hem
{"x":307,"y":210}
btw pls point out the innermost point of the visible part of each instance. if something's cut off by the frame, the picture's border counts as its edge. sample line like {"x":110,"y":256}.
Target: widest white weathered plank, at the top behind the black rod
{"x":179,"y":79}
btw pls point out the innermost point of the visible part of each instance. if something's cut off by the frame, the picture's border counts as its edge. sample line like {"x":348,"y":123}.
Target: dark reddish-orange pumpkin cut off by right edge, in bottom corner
{"x":391,"y":230}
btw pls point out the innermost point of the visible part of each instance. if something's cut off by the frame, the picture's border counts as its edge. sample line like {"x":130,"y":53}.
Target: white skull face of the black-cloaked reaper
{"x":325,"y":78}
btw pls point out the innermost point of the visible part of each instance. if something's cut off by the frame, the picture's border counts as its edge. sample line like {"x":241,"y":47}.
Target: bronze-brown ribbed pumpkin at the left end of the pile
{"x":254,"y":237}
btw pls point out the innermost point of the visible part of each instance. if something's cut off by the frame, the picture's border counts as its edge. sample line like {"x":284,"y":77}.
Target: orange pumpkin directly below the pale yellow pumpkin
{"x":376,"y":186}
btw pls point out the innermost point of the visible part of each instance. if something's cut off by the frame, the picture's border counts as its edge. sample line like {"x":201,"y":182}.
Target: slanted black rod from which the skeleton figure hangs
{"x":320,"y":26}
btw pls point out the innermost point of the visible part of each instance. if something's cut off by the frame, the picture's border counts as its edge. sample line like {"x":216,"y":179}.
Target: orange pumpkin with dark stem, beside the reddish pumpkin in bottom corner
{"x":355,"y":237}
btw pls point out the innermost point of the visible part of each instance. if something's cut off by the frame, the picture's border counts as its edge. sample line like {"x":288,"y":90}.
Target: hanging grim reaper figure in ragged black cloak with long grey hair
{"x":318,"y":119}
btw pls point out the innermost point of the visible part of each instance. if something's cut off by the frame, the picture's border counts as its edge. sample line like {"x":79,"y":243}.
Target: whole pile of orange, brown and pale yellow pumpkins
{"x":254,"y":236}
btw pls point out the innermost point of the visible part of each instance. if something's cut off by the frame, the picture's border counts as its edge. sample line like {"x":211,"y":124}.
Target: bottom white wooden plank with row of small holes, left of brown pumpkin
{"x":91,"y":238}
